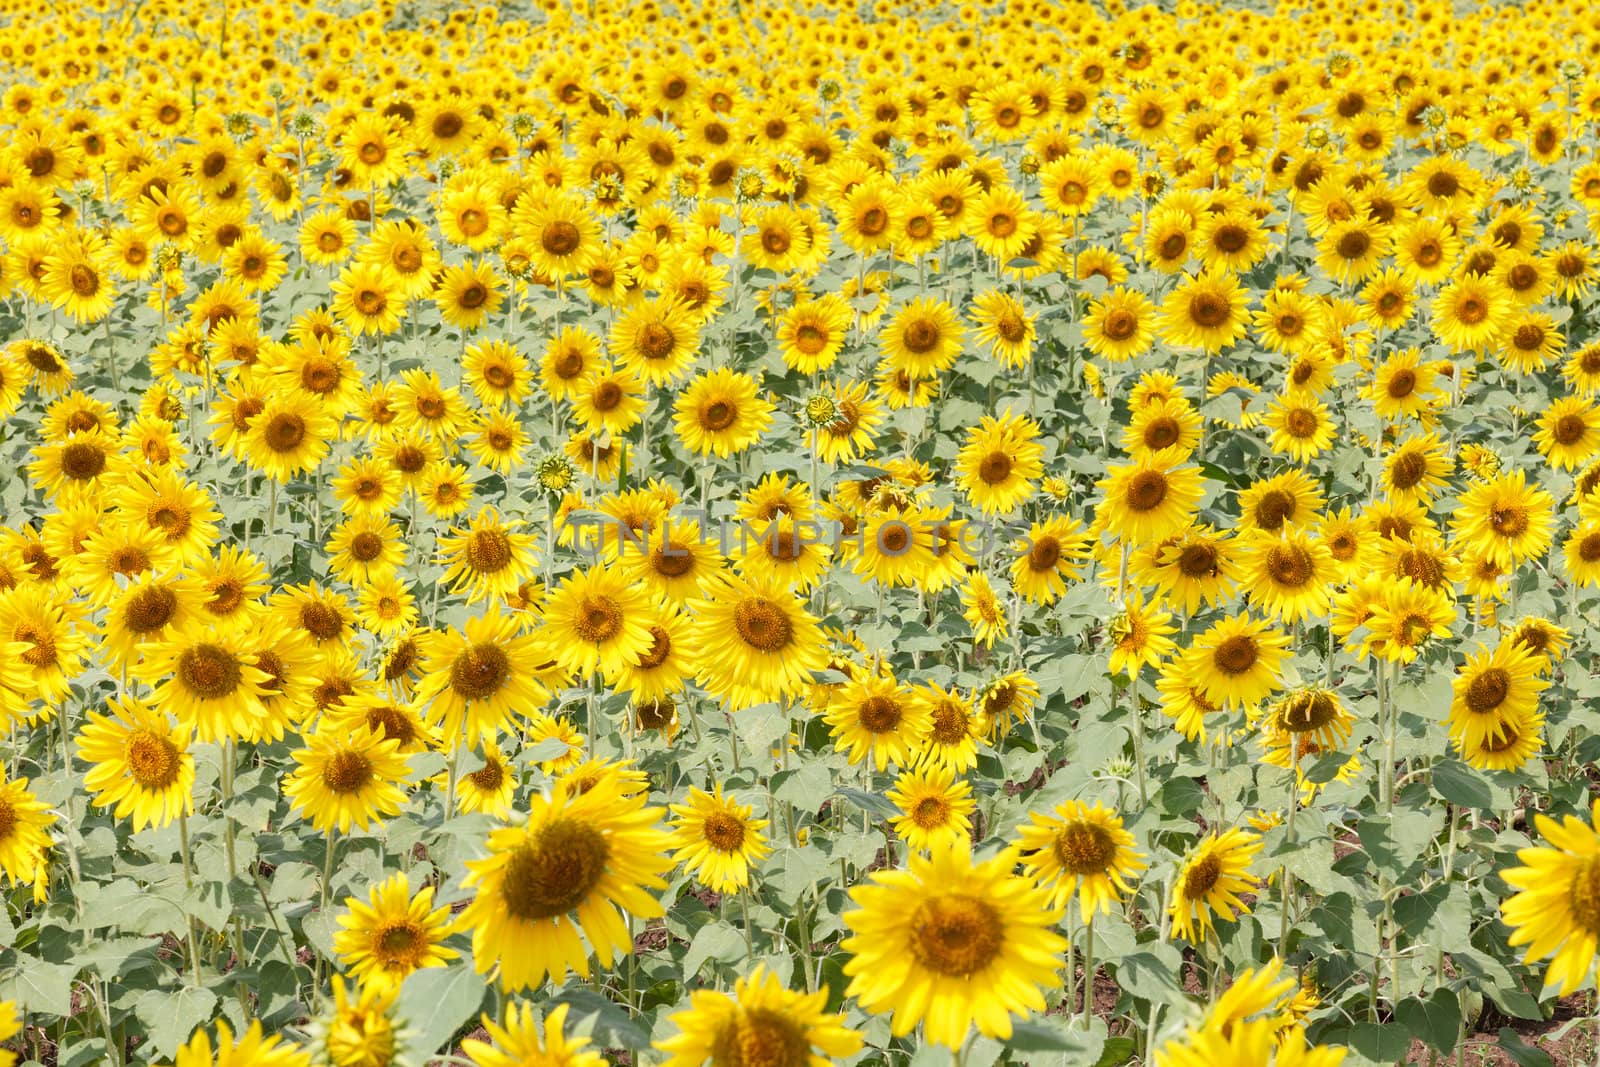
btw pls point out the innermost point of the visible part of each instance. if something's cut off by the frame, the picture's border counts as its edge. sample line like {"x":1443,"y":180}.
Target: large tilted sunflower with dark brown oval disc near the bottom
{"x":578,"y":865}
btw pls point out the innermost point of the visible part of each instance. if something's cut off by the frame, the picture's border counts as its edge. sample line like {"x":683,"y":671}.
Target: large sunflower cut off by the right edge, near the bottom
{"x":1558,"y":908}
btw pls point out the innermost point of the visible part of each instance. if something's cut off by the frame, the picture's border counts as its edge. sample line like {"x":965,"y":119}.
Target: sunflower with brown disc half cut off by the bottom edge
{"x":764,"y":1023}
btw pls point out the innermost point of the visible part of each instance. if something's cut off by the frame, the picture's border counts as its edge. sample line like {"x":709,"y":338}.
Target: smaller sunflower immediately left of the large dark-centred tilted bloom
{"x":393,"y":933}
